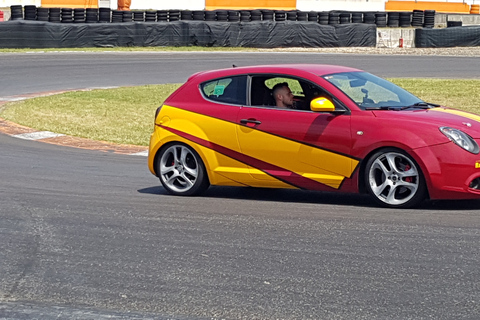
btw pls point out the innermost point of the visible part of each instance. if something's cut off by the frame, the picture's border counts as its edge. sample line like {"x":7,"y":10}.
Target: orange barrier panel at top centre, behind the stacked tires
{"x":251,"y":4}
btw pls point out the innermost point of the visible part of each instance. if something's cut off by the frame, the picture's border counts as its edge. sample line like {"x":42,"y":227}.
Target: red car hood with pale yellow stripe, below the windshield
{"x":437,"y":117}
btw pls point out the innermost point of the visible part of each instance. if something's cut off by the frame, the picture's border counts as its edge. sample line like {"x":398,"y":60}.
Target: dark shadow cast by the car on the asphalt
{"x":301,"y":196}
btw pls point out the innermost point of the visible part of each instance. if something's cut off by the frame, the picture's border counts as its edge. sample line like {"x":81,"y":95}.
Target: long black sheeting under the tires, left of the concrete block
{"x":259,"y":34}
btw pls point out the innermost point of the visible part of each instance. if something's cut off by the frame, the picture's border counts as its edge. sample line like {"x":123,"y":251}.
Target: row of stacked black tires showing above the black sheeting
{"x":417,"y":18}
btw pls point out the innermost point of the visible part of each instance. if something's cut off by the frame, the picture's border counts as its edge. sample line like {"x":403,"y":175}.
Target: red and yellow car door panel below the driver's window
{"x":296,"y":148}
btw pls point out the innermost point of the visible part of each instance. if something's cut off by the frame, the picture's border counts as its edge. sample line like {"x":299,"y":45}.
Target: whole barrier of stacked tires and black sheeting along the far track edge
{"x":33,"y":27}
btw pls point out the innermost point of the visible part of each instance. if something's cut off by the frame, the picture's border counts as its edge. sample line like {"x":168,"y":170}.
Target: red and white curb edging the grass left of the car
{"x":22,"y":132}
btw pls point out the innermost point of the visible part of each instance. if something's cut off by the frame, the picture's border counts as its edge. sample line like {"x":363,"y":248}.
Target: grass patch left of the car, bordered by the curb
{"x":123,"y":115}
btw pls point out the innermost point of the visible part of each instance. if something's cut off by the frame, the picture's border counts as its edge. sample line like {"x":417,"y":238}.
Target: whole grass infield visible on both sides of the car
{"x":125,"y":115}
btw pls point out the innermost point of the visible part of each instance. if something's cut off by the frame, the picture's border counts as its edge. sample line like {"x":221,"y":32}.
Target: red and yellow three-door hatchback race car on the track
{"x":314,"y":127}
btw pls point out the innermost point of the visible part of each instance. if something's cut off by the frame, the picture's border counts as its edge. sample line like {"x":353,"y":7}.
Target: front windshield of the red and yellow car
{"x":370,"y":92}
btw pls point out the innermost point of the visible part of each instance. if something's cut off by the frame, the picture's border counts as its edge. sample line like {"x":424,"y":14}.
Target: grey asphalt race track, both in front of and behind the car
{"x":92,"y":235}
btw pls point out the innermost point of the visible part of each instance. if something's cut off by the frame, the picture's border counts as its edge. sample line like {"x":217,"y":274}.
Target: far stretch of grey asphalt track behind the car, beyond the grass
{"x":30,"y":73}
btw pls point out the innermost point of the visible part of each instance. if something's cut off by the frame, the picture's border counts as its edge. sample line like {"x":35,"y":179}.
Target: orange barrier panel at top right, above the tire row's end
{"x":444,"y":7}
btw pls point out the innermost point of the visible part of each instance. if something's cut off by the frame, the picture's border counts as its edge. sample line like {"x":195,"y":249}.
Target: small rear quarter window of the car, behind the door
{"x":231,"y":90}
